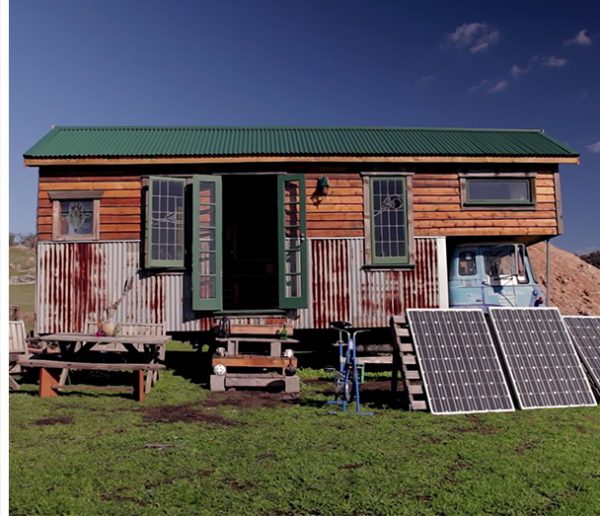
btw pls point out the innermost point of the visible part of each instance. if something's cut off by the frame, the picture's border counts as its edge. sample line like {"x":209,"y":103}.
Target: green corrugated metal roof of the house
{"x":147,"y":142}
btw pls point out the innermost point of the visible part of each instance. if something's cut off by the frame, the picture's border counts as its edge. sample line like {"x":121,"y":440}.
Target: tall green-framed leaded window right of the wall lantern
{"x":390,"y":243}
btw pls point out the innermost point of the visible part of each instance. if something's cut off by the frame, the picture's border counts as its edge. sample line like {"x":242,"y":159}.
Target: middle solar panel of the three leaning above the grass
{"x":540,"y":358}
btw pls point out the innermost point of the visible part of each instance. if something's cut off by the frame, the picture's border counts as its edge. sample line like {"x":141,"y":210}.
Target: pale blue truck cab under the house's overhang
{"x":492,"y":274}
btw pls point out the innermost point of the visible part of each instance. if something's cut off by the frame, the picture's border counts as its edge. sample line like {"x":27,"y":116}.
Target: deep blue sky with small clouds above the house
{"x":527,"y":64}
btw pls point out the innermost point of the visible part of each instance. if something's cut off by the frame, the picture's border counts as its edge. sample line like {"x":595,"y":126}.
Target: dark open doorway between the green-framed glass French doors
{"x":250,"y":264}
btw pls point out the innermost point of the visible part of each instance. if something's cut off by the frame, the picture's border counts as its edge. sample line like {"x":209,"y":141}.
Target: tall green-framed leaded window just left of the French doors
{"x":165,"y":235}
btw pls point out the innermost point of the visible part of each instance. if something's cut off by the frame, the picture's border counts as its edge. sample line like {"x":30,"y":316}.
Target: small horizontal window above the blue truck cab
{"x":509,"y":191}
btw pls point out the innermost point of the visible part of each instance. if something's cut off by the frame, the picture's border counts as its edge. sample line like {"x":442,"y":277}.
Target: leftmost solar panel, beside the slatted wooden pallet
{"x":459,"y":364}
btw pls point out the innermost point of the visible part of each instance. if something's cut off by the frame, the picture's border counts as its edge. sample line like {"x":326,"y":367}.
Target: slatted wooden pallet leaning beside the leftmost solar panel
{"x":406,"y":360}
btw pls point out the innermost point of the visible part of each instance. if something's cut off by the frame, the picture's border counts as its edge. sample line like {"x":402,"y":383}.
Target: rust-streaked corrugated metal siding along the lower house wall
{"x":77,"y":281}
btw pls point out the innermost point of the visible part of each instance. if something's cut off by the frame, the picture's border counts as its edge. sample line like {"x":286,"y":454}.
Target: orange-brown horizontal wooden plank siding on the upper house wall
{"x":436,"y":210}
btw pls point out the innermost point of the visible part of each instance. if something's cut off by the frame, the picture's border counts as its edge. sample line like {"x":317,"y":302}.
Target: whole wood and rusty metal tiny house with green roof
{"x":280,"y":225}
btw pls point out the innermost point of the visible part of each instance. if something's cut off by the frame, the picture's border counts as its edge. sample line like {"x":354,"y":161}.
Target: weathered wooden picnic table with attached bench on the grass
{"x":142,"y":355}
